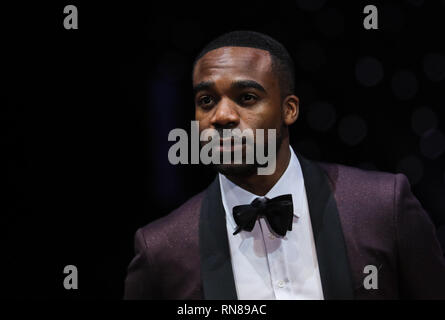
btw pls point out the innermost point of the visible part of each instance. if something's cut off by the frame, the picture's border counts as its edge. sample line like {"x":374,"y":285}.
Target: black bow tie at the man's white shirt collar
{"x":278,"y":212}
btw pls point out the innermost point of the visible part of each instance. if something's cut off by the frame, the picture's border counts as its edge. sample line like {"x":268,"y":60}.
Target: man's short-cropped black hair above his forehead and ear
{"x":282,"y":63}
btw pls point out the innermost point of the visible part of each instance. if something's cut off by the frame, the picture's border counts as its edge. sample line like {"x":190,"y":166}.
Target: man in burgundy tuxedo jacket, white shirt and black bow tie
{"x":350,"y":233}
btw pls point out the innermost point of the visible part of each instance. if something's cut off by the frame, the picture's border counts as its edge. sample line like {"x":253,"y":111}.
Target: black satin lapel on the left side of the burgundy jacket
{"x":216,"y":266}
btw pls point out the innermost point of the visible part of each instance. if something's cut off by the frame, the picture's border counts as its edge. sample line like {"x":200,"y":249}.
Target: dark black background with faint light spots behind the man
{"x":85,"y":116}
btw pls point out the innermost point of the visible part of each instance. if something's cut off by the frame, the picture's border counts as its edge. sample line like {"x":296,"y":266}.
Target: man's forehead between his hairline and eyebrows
{"x":234,"y":63}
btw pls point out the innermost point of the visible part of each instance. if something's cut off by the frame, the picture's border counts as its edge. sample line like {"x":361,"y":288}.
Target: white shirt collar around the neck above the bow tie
{"x":291,"y":182}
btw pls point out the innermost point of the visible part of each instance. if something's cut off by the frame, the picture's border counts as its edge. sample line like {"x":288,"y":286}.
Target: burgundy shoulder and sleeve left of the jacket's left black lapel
{"x":166,"y":250}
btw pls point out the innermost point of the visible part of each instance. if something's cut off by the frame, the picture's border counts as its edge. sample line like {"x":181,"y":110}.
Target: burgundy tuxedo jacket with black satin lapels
{"x":358,"y":218}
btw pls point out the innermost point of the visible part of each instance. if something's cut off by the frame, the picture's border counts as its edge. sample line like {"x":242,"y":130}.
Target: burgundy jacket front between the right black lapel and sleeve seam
{"x":366,"y":202}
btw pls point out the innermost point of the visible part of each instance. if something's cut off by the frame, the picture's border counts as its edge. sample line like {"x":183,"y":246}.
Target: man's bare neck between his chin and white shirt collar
{"x":261,"y":184}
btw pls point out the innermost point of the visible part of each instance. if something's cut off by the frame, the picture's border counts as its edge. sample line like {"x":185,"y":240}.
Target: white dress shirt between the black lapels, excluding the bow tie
{"x":266,"y":267}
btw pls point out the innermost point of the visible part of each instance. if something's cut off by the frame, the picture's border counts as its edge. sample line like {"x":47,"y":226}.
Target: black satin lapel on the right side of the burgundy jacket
{"x":333,"y":262}
